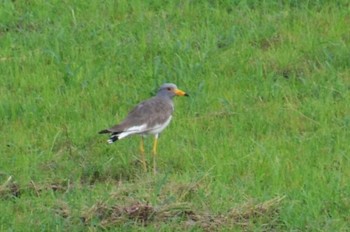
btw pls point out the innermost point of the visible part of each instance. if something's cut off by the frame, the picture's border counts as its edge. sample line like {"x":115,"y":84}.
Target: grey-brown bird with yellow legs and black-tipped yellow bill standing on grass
{"x":151,"y":116}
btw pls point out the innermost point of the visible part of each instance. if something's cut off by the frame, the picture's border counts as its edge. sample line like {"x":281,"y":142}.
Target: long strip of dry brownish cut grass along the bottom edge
{"x":145,"y":214}
